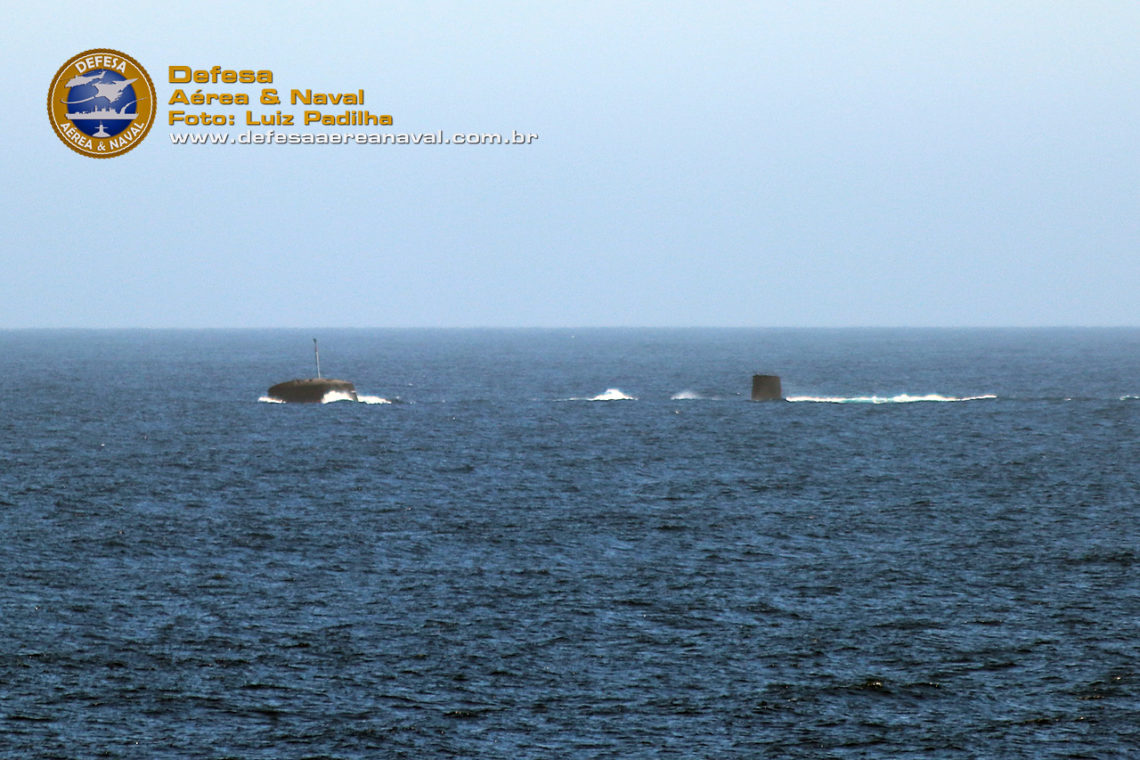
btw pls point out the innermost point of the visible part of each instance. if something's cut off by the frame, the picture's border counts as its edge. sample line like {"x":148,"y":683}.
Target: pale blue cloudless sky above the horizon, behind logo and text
{"x":754,"y":165}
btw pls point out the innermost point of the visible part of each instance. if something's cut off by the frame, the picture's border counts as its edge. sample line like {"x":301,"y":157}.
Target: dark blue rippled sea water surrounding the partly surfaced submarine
{"x":496,"y":567}
